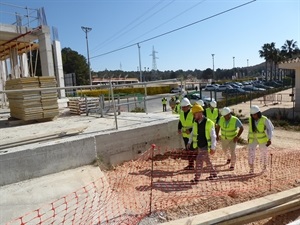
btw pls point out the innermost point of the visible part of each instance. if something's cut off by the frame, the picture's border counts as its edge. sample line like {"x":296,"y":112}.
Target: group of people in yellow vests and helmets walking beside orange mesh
{"x":201,"y":129}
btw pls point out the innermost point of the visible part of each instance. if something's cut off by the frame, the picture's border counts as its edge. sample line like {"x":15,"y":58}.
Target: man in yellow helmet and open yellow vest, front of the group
{"x":203,"y":140}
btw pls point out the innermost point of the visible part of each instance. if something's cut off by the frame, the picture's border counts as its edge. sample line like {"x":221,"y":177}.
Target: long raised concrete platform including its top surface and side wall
{"x":49,"y":153}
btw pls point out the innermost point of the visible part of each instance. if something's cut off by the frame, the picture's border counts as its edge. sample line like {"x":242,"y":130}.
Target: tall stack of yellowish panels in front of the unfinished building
{"x":32,"y":105}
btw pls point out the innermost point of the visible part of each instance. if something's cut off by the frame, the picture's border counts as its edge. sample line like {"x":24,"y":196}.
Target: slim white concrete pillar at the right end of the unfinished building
{"x":59,"y":68}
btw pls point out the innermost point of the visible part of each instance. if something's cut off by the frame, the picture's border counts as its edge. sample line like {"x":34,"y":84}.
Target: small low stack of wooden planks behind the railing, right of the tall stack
{"x":79,"y":105}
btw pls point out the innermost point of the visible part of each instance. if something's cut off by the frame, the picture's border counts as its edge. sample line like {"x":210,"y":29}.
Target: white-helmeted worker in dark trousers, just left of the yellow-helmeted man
{"x":185,"y":128}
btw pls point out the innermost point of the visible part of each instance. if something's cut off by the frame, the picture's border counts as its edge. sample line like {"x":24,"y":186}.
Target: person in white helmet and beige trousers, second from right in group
{"x":231,"y":129}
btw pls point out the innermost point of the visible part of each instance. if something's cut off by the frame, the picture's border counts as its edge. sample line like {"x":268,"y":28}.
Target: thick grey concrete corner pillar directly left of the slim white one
{"x":45,"y":49}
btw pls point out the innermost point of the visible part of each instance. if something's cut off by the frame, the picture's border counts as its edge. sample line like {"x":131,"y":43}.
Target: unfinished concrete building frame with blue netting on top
{"x":19,"y":39}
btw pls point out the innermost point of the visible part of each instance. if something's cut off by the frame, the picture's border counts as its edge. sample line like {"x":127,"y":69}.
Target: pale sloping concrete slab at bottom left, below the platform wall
{"x":24,"y":197}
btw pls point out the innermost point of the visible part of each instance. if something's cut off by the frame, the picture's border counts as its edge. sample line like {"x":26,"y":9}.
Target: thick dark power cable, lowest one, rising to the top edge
{"x":177,"y":29}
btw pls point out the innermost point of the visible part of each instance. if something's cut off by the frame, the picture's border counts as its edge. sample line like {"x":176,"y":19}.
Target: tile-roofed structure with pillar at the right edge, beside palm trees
{"x":294,"y":64}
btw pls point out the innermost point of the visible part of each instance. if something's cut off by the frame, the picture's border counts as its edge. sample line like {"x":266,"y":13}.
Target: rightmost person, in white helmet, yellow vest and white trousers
{"x":260,"y":133}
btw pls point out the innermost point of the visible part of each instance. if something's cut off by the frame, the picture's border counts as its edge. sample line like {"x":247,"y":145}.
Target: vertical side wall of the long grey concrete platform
{"x":33,"y":161}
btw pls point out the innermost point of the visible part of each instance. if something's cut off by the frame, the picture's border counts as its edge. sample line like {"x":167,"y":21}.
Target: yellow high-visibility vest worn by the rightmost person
{"x":260,"y":134}
